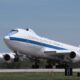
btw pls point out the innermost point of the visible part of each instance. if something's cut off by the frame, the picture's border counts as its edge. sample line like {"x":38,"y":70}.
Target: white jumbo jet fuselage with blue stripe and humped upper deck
{"x":29,"y":43}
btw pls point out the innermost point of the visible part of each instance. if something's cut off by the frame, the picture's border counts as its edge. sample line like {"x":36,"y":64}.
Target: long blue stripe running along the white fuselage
{"x":37,"y":43}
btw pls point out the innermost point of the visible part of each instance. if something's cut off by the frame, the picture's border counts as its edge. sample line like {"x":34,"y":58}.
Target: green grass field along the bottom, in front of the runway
{"x":37,"y":76}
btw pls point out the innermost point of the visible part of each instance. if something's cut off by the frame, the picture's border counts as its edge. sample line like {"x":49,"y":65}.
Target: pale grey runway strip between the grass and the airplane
{"x":36,"y":70}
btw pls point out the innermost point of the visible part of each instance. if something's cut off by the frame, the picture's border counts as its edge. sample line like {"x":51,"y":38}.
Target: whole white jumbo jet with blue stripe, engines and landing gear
{"x":26,"y":41}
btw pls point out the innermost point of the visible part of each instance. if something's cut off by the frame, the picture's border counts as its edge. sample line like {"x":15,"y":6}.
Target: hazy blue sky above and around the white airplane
{"x":55,"y":19}
